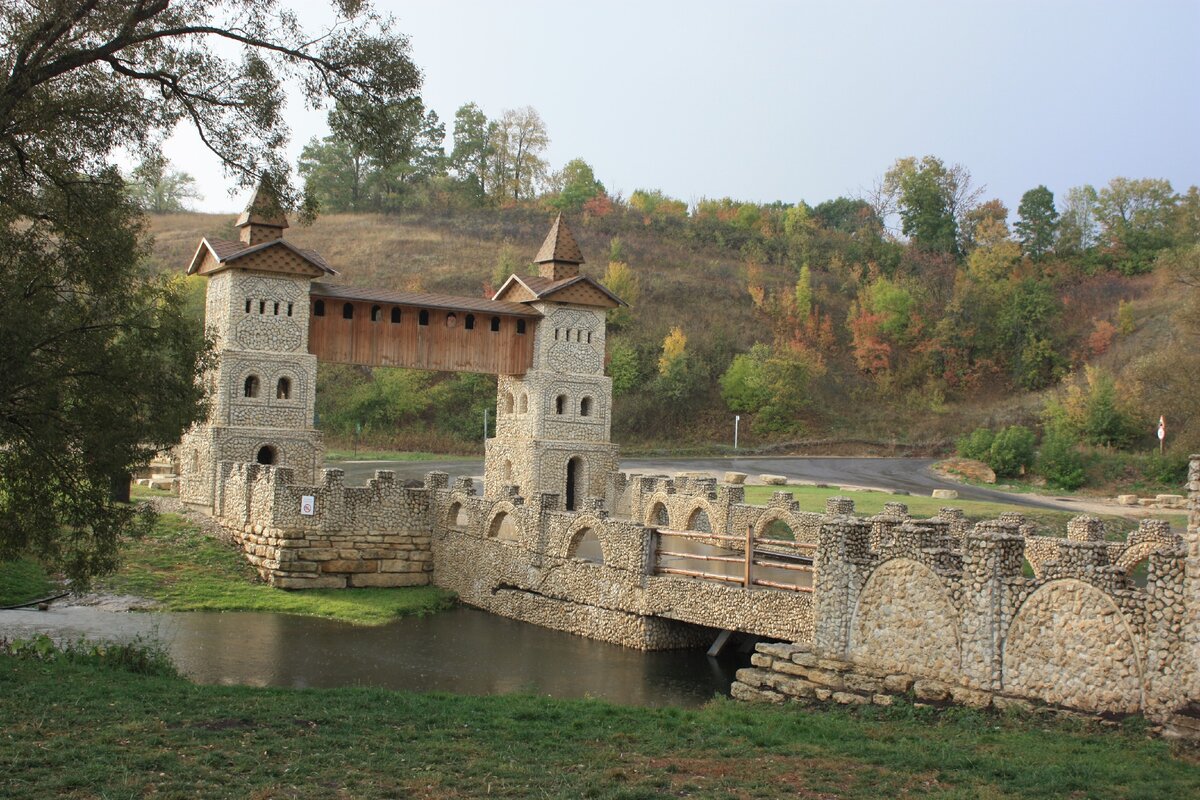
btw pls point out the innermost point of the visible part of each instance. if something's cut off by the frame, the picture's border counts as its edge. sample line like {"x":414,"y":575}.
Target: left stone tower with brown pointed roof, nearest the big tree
{"x":262,"y":390}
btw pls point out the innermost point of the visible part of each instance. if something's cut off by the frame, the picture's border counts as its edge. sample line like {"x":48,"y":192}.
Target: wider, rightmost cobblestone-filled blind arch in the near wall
{"x":1070,"y":645}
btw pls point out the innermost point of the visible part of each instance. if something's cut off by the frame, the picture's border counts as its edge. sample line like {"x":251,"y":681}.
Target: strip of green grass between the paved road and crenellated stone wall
{"x":871,"y":503}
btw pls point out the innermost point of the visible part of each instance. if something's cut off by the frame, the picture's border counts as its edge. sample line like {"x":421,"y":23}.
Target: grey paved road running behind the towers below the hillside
{"x":892,"y":474}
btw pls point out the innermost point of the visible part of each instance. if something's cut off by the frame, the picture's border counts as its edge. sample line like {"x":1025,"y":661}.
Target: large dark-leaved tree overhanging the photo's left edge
{"x":101,"y":360}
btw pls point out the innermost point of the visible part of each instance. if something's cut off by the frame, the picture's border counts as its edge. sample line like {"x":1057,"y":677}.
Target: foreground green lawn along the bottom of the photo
{"x":83,"y":731}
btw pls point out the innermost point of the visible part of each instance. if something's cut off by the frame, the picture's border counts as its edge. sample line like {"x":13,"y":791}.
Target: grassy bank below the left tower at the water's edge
{"x":188,"y":570}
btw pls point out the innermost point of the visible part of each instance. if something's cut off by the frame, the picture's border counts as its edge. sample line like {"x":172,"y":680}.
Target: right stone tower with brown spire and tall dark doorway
{"x":554,"y":425}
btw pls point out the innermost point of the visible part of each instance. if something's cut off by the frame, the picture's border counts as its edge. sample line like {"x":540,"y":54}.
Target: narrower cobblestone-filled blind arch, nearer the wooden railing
{"x":904,"y":622}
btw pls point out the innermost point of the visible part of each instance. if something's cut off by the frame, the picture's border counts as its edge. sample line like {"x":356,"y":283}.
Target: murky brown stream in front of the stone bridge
{"x":464,"y":651}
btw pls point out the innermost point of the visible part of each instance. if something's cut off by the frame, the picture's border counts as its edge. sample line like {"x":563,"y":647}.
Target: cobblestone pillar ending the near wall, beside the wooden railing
{"x":843,"y":554}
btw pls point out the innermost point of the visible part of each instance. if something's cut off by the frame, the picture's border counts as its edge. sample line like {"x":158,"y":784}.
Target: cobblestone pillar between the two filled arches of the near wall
{"x":992,"y":563}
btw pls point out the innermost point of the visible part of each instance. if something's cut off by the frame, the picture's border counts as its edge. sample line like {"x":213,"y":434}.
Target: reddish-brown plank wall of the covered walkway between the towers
{"x":437,"y":346}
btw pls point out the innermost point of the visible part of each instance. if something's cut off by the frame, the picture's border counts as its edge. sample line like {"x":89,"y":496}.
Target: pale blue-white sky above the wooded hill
{"x":790,"y":101}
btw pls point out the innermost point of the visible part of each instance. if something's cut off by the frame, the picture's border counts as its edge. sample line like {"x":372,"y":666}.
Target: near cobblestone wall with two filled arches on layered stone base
{"x":920,"y":611}
